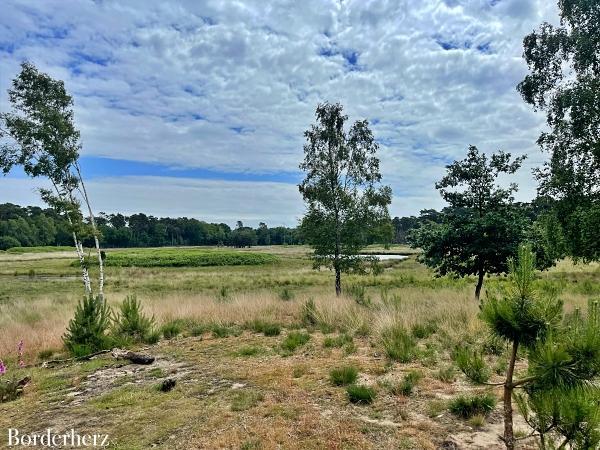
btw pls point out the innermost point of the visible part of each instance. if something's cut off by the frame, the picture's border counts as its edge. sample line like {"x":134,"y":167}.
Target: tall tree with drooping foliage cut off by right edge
{"x":564,"y":81}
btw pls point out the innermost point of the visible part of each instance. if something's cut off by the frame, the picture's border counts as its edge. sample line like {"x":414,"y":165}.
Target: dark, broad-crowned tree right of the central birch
{"x":482,"y":227}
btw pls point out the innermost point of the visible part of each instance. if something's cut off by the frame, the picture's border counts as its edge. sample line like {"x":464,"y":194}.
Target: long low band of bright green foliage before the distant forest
{"x":183,"y":258}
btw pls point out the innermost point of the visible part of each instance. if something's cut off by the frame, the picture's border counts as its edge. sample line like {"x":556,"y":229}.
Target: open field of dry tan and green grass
{"x":240,"y":388}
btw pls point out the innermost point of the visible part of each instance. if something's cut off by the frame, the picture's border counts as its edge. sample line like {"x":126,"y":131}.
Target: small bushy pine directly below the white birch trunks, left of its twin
{"x":86,"y":332}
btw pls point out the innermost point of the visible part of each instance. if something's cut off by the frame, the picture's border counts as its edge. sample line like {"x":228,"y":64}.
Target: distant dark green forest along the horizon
{"x":32,"y":226}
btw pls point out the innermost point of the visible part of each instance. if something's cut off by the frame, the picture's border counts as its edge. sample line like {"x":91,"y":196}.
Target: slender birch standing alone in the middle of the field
{"x":344,"y":197}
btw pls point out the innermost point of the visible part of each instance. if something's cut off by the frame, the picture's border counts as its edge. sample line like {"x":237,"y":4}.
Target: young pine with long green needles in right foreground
{"x":559,"y":398}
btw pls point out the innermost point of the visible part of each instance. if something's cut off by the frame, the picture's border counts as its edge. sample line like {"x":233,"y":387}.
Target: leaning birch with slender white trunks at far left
{"x":46,"y":143}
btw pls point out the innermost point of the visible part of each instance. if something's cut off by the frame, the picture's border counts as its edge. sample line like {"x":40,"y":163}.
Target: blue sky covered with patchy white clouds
{"x":198,"y":108}
